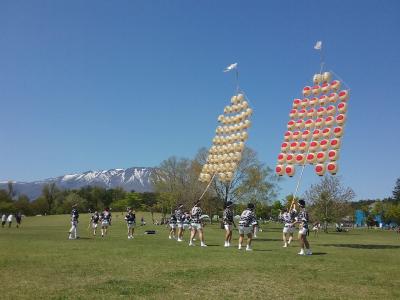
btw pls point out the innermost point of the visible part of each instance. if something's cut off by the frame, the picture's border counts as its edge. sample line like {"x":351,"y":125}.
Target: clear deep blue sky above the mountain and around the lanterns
{"x":89,"y":85}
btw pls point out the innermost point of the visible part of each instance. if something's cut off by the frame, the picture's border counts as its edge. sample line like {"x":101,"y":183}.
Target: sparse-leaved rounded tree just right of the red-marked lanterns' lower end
{"x":329,"y":200}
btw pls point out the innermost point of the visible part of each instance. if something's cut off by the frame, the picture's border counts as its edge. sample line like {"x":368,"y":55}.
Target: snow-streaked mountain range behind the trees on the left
{"x":137,"y":179}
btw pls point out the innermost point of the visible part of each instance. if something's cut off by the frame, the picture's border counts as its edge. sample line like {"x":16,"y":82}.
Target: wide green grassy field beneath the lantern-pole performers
{"x":37,"y":261}
